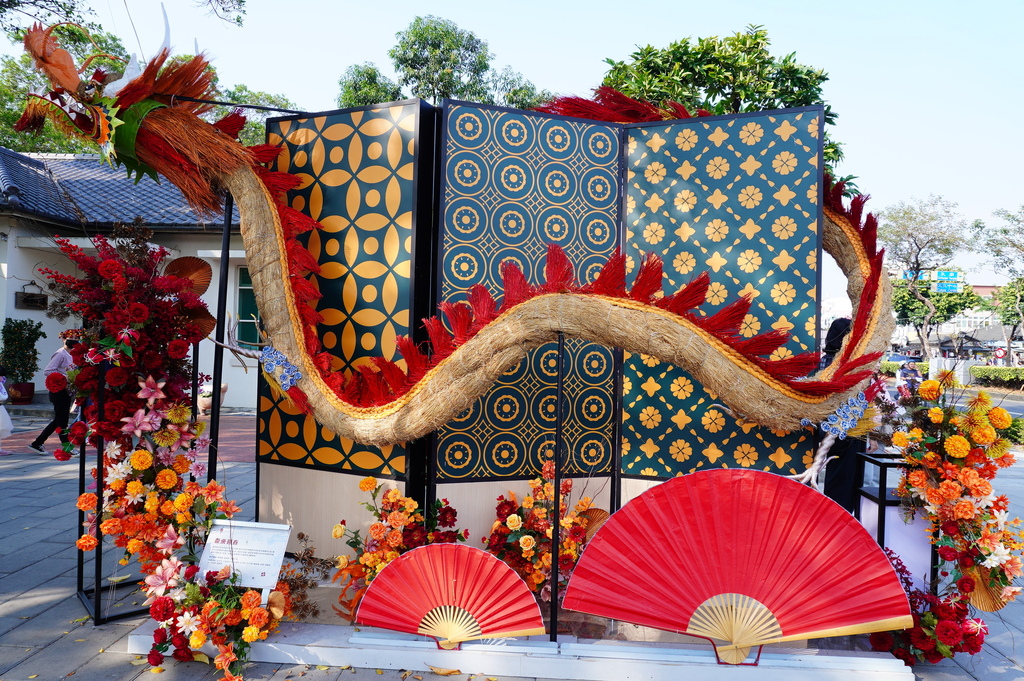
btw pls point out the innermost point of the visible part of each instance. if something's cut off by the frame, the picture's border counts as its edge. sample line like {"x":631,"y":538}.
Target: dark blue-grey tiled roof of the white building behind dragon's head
{"x":79,"y":188}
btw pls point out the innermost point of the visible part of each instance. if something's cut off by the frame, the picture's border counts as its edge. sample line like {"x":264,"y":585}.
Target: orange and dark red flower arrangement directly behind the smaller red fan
{"x":400,"y":527}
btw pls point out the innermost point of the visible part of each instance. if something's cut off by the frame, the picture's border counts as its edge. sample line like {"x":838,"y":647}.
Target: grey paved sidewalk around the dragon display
{"x":46,"y":634}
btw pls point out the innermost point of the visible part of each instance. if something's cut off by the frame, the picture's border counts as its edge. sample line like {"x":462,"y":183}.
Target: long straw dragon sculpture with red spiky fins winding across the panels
{"x":145,"y":124}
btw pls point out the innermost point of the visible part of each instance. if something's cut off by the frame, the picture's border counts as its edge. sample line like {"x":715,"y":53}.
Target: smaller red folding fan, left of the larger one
{"x":452,"y":593}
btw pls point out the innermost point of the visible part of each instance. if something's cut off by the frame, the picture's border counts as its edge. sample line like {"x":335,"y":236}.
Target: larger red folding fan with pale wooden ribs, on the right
{"x":741,"y":557}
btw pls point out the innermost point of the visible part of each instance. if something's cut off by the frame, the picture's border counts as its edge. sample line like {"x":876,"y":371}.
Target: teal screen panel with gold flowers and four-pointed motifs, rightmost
{"x":737,"y":197}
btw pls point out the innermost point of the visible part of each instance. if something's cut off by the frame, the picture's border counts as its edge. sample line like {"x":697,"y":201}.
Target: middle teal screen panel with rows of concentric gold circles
{"x":514,"y":183}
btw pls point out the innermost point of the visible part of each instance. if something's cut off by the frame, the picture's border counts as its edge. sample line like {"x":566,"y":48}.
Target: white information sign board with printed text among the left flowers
{"x":254,"y":550}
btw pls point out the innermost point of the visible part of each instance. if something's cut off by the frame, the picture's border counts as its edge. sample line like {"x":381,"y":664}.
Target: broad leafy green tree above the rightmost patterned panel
{"x":723,"y":76}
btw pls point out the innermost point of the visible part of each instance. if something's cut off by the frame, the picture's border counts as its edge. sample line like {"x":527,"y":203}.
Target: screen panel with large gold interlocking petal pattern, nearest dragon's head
{"x":358,"y":171}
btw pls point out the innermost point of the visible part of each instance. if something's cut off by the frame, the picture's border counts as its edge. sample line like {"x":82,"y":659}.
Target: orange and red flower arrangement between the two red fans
{"x":523,"y":533}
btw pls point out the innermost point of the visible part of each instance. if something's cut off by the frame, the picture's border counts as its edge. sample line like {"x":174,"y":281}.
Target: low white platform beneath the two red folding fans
{"x":538,"y":658}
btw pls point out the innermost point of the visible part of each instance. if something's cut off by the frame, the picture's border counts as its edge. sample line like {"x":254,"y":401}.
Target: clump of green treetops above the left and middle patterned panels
{"x":435,"y":59}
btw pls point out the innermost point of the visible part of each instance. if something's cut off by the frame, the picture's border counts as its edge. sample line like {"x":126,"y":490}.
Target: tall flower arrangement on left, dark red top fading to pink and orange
{"x":140,"y":327}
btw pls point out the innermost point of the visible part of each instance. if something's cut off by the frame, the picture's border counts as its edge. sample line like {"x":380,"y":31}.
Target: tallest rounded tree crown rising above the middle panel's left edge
{"x":439,"y":60}
